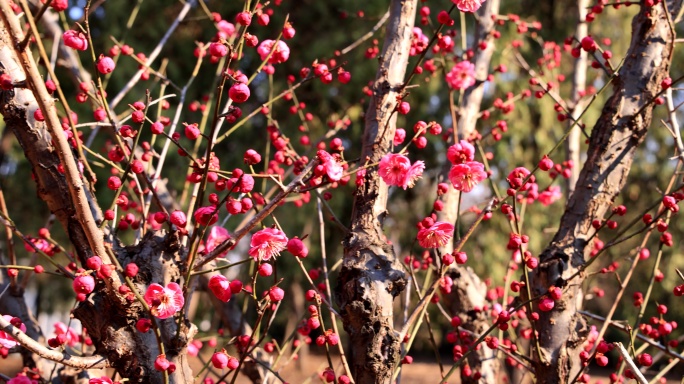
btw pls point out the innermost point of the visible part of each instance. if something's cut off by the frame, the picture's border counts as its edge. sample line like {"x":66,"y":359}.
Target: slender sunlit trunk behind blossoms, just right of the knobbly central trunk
{"x":469,"y":292}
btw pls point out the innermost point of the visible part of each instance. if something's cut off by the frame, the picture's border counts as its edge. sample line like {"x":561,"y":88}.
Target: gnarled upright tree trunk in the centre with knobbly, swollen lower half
{"x":371,"y":276}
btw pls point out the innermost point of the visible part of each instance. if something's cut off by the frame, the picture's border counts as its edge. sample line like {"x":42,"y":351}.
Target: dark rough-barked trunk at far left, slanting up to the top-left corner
{"x":109,"y":318}
